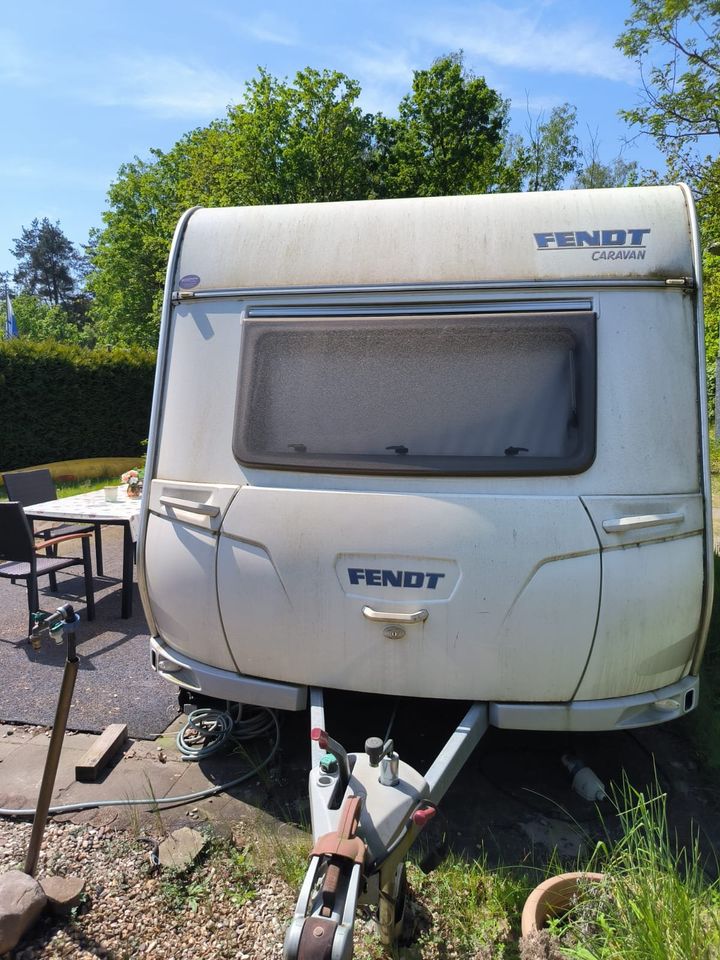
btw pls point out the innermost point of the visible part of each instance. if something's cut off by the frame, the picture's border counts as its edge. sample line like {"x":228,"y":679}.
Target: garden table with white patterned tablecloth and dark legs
{"x":93,"y":507}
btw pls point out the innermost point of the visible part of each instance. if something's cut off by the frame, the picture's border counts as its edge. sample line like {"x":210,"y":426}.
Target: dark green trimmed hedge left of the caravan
{"x":59,"y":402}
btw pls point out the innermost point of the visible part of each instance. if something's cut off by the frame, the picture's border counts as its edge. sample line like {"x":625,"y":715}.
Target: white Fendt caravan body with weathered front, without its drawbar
{"x":448,"y":447}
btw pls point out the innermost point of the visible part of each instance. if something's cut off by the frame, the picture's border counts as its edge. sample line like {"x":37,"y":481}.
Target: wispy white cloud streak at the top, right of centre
{"x":517,"y":39}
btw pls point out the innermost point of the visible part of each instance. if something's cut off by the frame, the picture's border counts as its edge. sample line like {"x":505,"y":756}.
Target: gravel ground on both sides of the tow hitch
{"x":232,"y":904}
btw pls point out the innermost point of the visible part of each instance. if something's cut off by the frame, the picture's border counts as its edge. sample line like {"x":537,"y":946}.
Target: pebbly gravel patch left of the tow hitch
{"x":226,"y":908}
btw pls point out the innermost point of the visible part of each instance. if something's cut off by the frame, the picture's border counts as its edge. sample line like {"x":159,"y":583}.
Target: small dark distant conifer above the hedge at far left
{"x":49,"y":266}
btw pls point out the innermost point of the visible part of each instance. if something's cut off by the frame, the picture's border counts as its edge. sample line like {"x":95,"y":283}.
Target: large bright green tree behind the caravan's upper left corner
{"x":284,"y":143}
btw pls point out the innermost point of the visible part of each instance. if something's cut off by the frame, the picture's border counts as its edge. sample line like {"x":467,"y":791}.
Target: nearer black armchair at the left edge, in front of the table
{"x":19,"y":559}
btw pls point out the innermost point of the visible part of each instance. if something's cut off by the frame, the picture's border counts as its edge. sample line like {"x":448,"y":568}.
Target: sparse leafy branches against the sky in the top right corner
{"x":680,"y":104}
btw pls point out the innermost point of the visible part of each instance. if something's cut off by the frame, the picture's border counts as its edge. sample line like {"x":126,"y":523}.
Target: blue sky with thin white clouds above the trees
{"x":86,"y":85}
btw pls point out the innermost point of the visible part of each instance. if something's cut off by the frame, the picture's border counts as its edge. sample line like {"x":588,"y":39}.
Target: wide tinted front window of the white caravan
{"x":442,"y":394}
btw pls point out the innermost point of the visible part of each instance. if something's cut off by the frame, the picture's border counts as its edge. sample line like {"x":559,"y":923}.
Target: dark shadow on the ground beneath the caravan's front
{"x":512,"y":803}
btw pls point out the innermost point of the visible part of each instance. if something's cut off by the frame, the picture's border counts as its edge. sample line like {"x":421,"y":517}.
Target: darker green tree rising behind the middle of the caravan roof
{"x":447,"y":139}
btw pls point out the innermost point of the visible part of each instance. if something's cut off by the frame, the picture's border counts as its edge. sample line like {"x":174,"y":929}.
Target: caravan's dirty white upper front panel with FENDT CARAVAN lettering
{"x":629,"y":233}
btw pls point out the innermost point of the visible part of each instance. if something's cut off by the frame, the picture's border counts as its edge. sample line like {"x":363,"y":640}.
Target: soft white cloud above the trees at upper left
{"x":165,"y":86}
